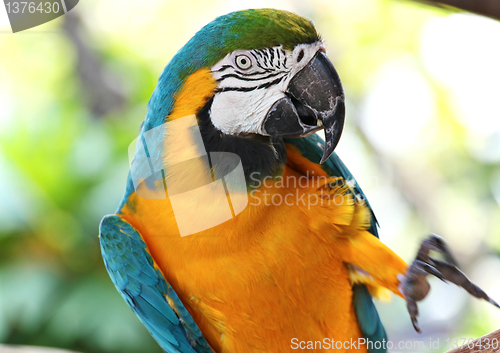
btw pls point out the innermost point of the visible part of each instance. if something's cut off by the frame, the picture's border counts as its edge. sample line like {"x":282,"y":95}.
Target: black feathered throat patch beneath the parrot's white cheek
{"x":261,"y":155}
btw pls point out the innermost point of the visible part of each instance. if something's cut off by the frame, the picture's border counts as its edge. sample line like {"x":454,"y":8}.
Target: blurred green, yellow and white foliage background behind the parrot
{"x":422,"y":137}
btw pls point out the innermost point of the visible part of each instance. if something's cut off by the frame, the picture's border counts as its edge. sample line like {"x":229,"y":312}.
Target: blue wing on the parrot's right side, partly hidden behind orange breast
{"x":368,"y":319}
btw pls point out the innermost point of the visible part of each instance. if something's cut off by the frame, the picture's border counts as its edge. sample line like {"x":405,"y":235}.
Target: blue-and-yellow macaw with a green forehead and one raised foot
{"x":282,"y":260}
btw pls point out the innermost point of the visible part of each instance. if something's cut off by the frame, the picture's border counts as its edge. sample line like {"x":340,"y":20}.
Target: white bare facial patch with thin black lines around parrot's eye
{"x":250,"y":82}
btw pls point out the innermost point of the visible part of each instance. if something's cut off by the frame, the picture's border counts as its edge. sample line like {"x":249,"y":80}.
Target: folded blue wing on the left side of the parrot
{"x":145,"y":290}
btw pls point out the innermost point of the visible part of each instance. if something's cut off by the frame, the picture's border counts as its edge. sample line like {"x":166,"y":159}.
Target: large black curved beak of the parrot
{"x":314,"y":100}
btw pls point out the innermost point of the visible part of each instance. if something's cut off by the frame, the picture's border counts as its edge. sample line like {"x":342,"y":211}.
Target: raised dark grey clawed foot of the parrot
{"x":414,"y":285}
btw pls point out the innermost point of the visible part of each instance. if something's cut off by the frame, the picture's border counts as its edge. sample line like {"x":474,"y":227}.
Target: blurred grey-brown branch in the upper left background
{"x":101,"y":88}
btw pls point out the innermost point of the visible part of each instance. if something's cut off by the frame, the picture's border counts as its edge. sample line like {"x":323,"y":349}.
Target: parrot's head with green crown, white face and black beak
{"x":253,"y":78}
